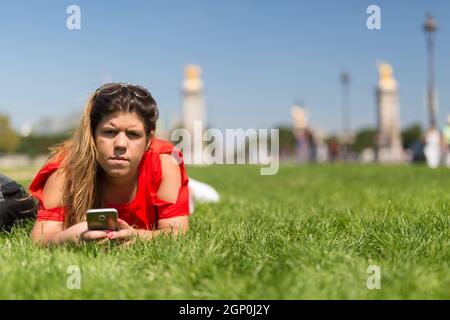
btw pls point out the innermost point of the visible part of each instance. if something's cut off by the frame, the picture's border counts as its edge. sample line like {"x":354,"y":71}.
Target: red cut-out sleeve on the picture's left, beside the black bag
{"x":36,"y":188}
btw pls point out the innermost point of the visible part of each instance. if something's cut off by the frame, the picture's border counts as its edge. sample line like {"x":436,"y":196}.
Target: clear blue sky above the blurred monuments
{"x":258,"y":57}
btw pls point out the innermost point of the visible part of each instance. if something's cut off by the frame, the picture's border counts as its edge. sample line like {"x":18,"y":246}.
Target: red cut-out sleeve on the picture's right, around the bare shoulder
{"x":166,"y":209}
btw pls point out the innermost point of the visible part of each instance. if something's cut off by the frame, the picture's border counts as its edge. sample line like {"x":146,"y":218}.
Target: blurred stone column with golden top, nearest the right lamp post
{"x":389,"y":143}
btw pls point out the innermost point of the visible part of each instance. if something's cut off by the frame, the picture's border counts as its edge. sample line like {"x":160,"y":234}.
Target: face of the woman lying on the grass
{"x":121,"y":141}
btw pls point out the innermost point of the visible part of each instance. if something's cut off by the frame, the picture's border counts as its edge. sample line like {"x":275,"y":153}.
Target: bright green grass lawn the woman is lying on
{"x":309,"y":232}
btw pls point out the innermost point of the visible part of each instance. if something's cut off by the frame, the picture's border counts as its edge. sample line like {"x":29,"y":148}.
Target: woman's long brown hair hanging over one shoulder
{"x":78,"y":155}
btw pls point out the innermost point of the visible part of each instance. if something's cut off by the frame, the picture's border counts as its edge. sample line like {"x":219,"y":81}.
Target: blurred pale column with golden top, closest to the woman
{"x":193,"y":107}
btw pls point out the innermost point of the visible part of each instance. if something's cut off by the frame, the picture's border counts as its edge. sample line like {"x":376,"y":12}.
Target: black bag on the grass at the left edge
{"x":16,"y":206}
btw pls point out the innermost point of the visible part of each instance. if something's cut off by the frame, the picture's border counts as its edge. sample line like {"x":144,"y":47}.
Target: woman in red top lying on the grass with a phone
{"x":112,"y":161}
